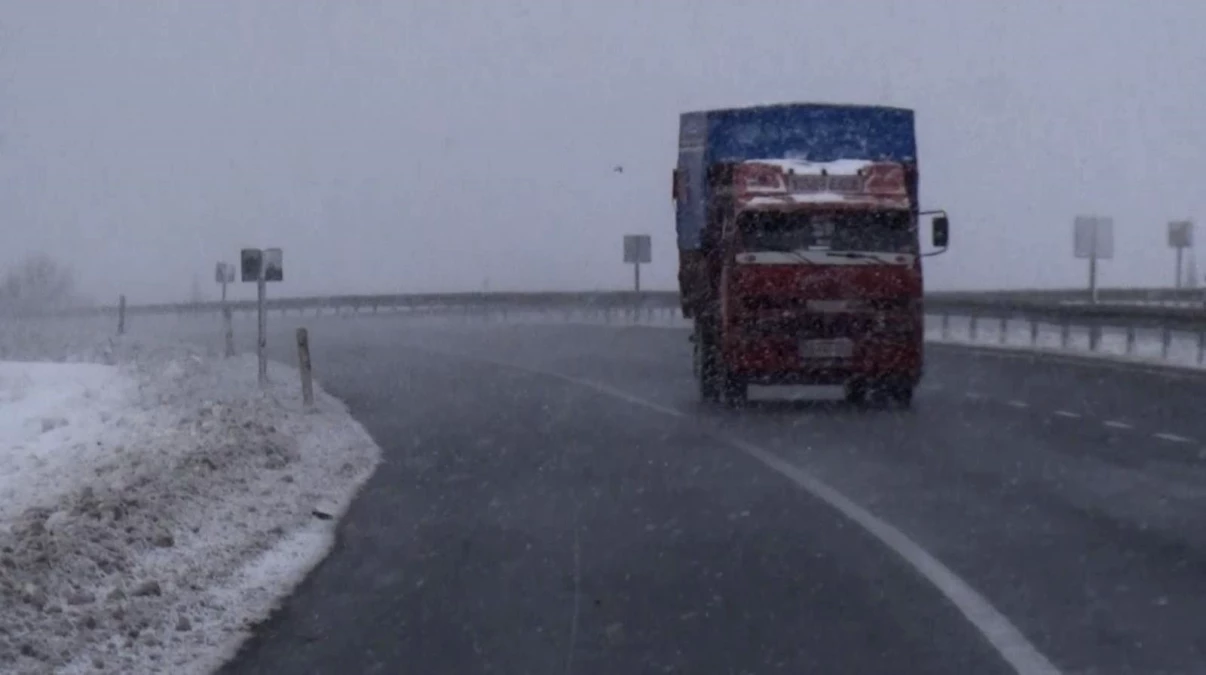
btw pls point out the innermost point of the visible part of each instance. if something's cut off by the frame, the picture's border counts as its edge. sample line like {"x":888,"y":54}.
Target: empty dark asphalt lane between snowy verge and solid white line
{"x":523,"y":524}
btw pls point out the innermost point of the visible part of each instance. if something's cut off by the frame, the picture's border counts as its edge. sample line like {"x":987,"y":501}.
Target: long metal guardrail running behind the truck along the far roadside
{"x":1123,"y":322}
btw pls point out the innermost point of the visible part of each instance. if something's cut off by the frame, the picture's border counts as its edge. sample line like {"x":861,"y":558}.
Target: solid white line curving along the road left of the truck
{"x":998,"y":630}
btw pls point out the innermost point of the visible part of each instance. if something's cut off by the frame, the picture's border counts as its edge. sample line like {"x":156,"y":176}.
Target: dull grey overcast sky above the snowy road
{"x":435,"y":145}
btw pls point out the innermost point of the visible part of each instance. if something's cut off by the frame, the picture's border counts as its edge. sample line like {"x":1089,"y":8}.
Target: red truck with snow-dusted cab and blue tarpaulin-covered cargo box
{"x":799,"y":251}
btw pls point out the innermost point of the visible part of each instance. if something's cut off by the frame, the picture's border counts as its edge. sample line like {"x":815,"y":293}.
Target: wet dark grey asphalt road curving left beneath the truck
{"x":523,"y":523}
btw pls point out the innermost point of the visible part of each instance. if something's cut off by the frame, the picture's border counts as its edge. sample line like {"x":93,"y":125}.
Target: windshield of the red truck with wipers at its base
{"x":889,"y":232}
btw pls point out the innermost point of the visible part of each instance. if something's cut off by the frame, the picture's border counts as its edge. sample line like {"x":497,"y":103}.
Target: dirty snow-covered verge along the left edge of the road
{"x":153,"y":512}
